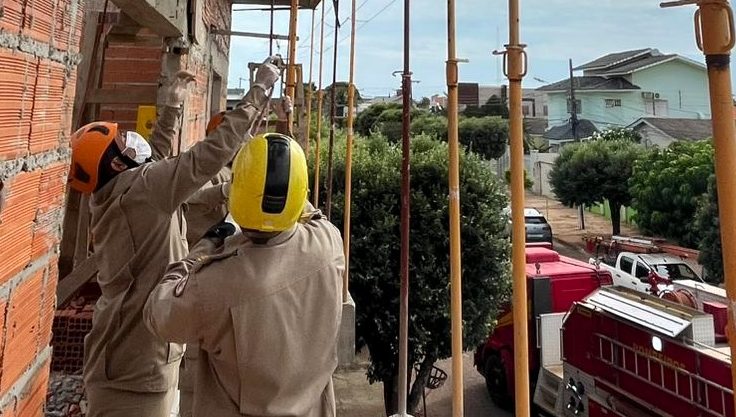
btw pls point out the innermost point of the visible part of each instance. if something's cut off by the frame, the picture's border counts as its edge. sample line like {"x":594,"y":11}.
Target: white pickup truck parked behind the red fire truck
{"x":631,"y":270}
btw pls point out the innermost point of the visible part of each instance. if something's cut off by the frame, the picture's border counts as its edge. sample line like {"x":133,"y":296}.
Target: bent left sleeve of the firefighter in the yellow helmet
{"x":172,"y":311}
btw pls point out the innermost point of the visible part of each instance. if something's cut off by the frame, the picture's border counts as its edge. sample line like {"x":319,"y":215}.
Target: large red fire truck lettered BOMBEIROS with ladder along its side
{"x":602,"y":350}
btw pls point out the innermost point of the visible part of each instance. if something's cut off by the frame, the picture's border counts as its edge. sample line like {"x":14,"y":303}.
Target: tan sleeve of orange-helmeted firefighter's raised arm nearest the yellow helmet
{"x":170,"y":182}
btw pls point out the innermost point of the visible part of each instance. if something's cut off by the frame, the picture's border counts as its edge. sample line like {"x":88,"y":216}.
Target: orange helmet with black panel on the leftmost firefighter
{"x":89,"y":145}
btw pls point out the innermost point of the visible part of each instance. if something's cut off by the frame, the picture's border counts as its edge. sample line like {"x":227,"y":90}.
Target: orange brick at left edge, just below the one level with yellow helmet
{"x":22,"y":334}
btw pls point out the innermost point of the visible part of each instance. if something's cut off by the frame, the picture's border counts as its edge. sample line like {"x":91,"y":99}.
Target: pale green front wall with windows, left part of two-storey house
{"x":594,"y":108}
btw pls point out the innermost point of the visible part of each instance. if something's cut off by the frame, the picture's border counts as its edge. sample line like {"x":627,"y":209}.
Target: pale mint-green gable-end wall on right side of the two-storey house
{"x":684,"y":86}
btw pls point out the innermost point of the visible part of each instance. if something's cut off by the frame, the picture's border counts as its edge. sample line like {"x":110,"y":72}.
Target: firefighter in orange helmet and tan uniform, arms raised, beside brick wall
{"x":137,"y":230}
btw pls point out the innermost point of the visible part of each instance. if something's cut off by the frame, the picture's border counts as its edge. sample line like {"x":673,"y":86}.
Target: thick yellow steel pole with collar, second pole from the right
{"x":515,"y":72}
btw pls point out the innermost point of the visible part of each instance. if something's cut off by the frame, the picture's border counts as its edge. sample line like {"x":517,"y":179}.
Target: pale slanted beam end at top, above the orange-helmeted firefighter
{"x":154,"y":15}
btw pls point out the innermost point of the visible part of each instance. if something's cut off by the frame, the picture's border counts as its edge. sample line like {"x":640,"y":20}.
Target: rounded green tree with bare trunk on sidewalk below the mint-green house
{"x":593,"y":172}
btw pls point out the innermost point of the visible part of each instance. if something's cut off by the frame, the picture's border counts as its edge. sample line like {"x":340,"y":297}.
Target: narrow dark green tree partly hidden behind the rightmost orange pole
{"x":708,"y":222}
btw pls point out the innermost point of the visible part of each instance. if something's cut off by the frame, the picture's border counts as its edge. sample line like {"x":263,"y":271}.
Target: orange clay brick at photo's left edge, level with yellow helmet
{"x":16,"y":229}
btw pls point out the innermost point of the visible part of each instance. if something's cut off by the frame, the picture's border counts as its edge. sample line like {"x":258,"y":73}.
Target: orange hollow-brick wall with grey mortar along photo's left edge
{"x":38,"y":55}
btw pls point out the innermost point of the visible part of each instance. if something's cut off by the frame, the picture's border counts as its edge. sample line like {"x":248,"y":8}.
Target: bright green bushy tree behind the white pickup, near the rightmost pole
{"x":666,"y":185}
